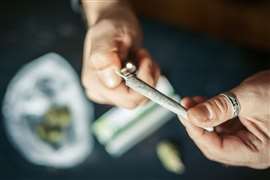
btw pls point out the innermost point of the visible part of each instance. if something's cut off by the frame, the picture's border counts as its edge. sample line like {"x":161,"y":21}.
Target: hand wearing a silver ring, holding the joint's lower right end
{"x":242,"y":141}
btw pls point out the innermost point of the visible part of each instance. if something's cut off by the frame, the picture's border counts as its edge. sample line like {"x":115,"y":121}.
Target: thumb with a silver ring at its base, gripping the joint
{"x":211,"y":113}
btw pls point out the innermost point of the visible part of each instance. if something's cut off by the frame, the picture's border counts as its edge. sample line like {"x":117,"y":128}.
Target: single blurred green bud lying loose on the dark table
{"x":170,"y":157}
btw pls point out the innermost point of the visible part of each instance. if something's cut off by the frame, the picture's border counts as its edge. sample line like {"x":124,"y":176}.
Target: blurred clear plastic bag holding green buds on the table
{"x":47,"y":115}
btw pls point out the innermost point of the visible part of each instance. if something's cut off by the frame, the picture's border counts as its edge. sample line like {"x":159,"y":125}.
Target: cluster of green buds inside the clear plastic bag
{"x":52,"y":128}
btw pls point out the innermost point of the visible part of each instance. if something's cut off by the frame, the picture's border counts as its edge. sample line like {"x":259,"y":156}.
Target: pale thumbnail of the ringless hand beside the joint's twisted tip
{"x":109,"y":77}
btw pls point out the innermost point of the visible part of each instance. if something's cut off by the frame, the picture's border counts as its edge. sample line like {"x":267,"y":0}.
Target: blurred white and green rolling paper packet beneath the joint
{"x":120,"y":129}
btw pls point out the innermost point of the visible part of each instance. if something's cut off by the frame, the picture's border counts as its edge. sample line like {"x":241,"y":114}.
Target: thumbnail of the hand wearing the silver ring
{"x":200,"y":113}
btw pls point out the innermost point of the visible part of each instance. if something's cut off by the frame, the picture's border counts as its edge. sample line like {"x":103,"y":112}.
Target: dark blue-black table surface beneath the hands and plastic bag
{"x":194,"y":63}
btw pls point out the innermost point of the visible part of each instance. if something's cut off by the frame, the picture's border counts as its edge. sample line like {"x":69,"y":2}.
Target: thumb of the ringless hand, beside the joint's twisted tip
{"x":105,"y":51}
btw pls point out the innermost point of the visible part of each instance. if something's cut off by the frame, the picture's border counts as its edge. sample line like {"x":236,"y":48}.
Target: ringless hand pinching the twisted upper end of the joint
{"x":107,"y":44}
